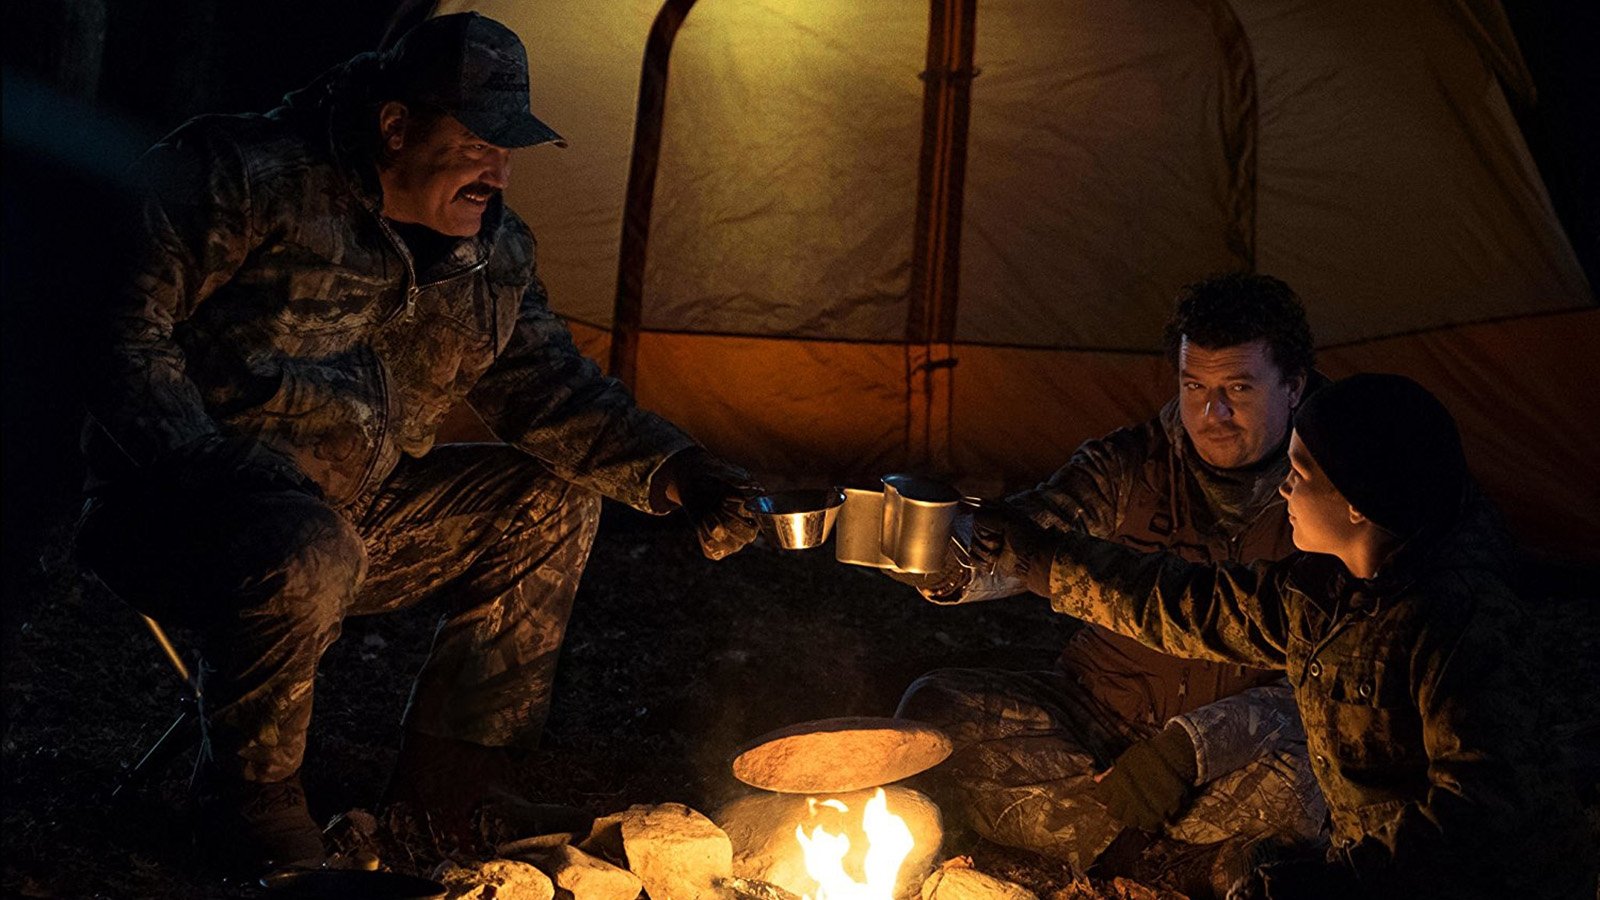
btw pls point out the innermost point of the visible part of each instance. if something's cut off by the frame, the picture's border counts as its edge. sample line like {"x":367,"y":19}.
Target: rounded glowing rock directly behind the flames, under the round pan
{"x":762,"y":829}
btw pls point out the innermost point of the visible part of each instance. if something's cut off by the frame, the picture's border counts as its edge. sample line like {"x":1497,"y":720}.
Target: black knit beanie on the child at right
{"x":1390,"y":448}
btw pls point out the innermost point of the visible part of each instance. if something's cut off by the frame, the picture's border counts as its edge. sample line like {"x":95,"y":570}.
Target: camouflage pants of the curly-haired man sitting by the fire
{"x":1028,"y":747}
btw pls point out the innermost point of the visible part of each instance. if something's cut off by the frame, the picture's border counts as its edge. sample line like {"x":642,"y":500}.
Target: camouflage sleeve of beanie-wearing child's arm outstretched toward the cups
{"x":1231,"y":614}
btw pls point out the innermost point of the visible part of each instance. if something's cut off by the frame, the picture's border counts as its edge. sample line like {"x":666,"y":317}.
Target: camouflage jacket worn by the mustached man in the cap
{"x":271,"y":300}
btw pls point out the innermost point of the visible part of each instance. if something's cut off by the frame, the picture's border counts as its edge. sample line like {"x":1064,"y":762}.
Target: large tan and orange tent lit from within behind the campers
{"x":842,"y":238}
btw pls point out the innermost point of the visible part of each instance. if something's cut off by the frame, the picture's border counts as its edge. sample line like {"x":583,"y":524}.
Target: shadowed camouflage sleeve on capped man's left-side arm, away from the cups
{"x":191,"y":236}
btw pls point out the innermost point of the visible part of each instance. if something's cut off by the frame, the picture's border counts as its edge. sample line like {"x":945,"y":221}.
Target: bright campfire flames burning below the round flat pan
{"x":884,"y":845}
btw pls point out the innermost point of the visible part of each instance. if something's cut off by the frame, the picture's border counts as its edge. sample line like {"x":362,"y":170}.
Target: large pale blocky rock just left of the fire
{"x":678,"y":853}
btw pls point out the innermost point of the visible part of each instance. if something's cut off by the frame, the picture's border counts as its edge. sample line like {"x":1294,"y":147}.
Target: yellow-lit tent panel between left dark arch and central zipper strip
{"x":788,"y":179}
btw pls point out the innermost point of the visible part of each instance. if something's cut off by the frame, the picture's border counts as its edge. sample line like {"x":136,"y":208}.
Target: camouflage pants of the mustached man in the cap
{"x":266,"y":581}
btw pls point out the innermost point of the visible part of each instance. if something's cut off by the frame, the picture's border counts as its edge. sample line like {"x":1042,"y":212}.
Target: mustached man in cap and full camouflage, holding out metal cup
{"x":316,"y":289}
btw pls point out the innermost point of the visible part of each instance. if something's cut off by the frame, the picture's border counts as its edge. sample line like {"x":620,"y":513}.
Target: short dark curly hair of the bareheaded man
{"x":1238,"y":308}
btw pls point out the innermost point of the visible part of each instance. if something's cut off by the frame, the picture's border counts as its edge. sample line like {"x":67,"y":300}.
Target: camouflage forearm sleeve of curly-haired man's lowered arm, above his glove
{"x":1242,"y":729}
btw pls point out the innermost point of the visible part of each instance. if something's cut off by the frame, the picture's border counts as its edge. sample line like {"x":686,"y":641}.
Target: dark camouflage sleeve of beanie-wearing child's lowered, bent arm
{"x":1486,"y":805}
